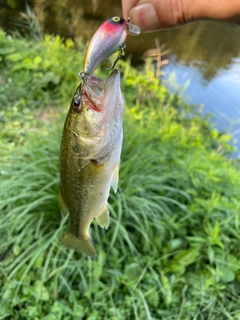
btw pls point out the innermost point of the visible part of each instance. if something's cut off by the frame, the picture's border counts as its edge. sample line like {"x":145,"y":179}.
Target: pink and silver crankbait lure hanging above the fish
{"x":108,"y":38}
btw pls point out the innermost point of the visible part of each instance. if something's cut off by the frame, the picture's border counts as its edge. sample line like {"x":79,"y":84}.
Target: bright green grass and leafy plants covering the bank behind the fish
{"x":172,"y":248}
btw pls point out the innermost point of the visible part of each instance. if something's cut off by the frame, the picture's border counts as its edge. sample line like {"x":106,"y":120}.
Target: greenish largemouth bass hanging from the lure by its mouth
{"x":90,"y":158}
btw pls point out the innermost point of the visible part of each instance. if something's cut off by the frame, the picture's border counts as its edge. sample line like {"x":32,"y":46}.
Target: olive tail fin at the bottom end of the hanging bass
{"x":85,"y":245}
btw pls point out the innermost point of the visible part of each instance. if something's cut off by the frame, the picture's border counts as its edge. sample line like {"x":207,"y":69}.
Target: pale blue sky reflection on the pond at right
{"x":220,"y":96}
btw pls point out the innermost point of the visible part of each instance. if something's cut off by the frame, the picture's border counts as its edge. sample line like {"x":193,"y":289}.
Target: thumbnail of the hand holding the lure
{"x":145,"y":17}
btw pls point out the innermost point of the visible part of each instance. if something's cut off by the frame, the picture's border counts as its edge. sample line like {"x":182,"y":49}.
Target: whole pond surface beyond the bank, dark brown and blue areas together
{"x":206,"y":55}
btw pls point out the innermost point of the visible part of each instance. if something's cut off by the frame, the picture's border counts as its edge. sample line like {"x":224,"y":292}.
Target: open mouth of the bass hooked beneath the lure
{"x":96,"y":90}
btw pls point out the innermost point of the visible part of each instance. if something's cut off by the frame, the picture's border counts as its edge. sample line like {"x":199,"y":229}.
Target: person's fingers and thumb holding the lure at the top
{"x":153,"y":15}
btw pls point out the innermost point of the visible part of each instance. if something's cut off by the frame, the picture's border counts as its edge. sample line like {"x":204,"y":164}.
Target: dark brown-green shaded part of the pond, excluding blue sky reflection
{"x":68,"y":18}
